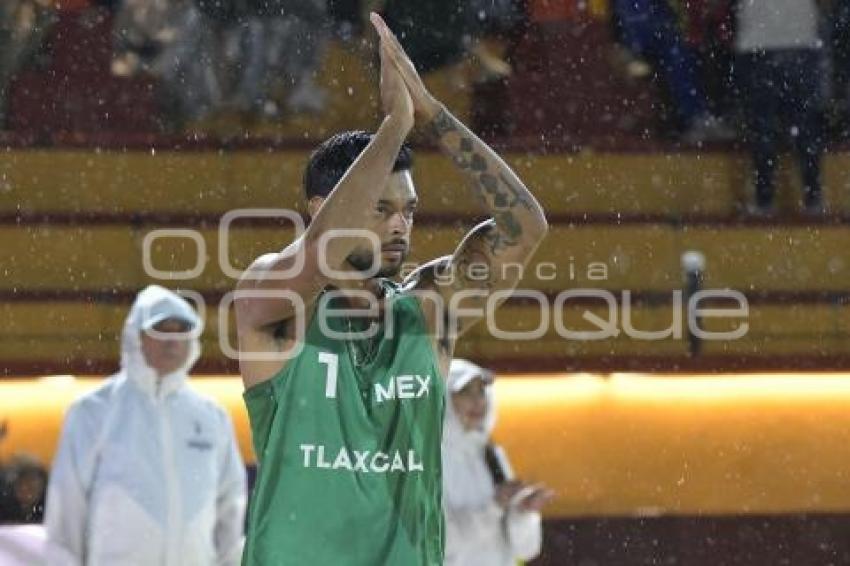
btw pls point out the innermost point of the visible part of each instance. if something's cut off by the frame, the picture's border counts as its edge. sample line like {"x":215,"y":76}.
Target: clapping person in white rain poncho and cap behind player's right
{"x":491,"y":518}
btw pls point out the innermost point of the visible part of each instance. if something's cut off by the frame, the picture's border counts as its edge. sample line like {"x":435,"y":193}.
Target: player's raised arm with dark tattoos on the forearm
{"x":517,"y":224}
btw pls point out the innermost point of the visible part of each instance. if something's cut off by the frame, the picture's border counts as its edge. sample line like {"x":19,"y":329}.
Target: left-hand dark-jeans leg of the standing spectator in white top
{"x":756,"y":79}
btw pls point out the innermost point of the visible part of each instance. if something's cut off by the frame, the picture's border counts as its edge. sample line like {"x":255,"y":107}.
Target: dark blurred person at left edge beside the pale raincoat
{"x":22,"y":488}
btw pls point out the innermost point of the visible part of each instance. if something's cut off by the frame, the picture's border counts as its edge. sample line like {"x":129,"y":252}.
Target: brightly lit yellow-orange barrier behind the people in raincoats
{"x":622,"y":444}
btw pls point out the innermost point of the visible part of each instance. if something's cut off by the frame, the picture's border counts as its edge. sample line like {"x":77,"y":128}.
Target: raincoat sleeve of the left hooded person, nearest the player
{"x":230,"y":503}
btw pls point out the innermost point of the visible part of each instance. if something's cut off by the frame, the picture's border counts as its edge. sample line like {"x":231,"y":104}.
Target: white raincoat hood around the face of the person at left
{"x":153,"y":305}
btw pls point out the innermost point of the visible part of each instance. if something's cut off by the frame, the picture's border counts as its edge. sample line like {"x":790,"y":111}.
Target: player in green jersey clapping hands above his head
{"x":347,"y":429}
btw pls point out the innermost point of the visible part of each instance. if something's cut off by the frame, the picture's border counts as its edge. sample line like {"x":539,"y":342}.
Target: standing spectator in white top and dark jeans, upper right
{"x":780,"y":74}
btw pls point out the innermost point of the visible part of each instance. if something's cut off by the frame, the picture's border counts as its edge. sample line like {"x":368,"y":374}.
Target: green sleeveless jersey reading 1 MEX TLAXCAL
{"x":347,"y":438}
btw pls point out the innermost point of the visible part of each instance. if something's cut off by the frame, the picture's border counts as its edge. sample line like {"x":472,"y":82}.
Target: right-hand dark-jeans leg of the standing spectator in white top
{"x":800,"y":74}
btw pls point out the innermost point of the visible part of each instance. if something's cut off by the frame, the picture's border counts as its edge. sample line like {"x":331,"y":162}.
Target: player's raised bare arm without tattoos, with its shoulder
{"x":350,"y":206}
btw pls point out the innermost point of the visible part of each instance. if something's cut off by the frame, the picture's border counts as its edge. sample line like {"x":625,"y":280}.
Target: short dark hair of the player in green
{"x":329,"y":162}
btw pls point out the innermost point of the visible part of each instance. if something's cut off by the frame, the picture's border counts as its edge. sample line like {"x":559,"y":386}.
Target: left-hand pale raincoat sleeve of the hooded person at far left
{"x":67,"y":492}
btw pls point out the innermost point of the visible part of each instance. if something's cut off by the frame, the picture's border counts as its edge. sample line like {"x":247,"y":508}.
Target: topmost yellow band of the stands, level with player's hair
{"x":213,"y":182}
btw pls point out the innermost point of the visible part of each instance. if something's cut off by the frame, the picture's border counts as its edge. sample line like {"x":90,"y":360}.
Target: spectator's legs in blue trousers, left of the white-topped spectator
{"x":650,"y":29}
